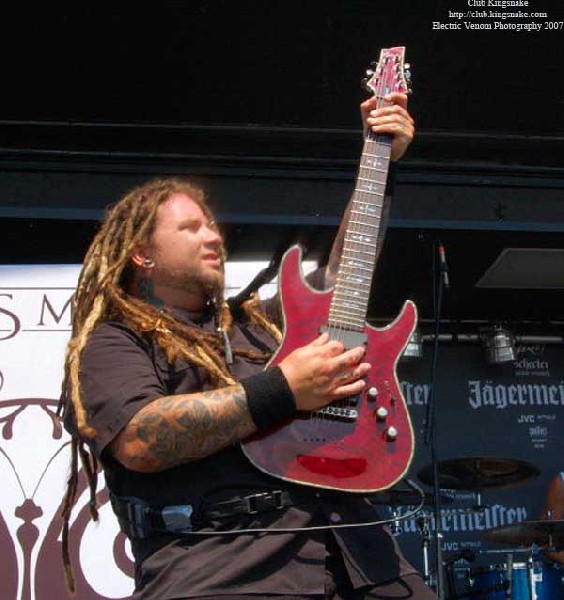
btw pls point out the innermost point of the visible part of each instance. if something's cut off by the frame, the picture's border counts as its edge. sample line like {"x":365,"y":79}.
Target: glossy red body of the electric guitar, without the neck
{"x":348,"y":448}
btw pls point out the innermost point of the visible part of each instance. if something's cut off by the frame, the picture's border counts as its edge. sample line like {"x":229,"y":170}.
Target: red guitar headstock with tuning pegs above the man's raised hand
{"x":389,"y":74}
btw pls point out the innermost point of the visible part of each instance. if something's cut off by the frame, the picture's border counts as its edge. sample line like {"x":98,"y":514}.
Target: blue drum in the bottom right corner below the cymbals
{"x":492,"y":583}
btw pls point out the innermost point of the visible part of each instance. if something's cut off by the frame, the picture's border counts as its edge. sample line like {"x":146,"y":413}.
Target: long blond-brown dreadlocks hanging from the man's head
{"x":102,"y":295}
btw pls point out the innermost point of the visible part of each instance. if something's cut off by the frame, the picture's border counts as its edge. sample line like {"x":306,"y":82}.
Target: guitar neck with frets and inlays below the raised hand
{"x":363,"y":237}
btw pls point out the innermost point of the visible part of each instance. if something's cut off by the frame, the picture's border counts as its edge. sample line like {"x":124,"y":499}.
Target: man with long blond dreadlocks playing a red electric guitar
{"x":162,"y":381}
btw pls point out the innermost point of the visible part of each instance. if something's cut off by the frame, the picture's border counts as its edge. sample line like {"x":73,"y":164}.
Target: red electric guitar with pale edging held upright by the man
{"x":363,"y":443}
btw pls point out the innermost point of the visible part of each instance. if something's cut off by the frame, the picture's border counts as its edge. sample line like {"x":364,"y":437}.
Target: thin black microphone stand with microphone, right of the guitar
{"x":430,"y":420}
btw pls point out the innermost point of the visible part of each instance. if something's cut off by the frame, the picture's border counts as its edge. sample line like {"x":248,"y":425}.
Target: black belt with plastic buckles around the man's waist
{"x":140,"y":520}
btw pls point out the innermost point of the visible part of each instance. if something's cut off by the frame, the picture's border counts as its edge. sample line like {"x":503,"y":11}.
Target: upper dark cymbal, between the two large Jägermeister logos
{"x":479,"y":473}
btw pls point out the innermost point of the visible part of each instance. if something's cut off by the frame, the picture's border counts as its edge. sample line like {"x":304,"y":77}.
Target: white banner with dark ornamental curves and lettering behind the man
{"x":35,"y":318}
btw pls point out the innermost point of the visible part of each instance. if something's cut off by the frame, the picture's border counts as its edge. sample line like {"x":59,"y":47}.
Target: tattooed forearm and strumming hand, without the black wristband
{"x":175,"y":429}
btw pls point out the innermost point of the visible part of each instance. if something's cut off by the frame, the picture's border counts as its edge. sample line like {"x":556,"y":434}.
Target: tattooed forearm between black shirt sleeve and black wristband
{"x":176,"y":429}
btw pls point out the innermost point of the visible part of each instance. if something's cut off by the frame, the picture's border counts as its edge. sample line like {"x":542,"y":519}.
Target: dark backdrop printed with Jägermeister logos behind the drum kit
{"x":507,"y":411}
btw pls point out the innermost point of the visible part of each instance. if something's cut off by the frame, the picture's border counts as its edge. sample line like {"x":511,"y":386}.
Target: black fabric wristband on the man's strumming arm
{"x":269,"y":398}
